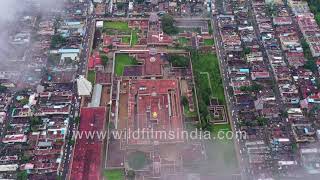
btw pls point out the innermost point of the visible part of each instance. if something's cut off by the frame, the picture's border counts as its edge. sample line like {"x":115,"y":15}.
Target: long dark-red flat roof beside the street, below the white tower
{"x":87,"y":159}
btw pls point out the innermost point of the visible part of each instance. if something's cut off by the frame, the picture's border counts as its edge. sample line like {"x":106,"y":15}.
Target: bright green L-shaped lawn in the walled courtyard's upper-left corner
{"x":121,"y":61}
